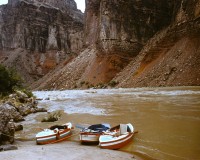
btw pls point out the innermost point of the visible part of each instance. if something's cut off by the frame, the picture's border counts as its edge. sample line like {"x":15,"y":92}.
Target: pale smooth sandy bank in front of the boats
{"x":62,"y":151}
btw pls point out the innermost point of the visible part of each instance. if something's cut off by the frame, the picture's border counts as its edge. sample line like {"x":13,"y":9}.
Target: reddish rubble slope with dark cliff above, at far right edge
{"x":172,"y":56}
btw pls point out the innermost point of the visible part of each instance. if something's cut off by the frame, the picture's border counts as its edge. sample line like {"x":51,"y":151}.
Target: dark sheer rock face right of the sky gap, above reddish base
{"x":124,"y":26}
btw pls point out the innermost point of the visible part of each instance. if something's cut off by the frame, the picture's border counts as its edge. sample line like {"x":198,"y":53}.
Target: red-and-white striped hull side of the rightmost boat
{"x":116,"y":143}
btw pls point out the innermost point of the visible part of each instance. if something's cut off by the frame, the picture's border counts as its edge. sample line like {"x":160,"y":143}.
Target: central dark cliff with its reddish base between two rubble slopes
{"x":118,"y":30}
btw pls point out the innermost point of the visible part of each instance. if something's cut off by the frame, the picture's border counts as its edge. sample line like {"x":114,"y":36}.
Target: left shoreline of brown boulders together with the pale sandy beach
{"x":13,"y":111}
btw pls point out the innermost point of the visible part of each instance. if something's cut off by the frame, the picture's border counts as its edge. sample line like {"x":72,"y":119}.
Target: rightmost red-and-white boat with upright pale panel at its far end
{"x":117,"y":137}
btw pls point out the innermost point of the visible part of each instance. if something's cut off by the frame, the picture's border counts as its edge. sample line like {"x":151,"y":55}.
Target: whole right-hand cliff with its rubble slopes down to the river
{"x":135,"y":43}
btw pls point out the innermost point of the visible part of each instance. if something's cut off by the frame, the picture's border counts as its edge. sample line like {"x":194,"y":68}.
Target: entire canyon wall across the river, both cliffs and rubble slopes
{"x":115,"y":43}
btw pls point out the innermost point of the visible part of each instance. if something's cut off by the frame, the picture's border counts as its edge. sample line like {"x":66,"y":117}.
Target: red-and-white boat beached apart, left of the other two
{"x":54,"y":134}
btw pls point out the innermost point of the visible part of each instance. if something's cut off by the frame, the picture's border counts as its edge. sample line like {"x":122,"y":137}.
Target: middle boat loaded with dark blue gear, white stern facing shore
{"x":92,"y":133}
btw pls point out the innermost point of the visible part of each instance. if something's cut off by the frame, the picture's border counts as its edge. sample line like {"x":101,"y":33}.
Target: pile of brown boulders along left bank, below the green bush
{"x":12,"y":111}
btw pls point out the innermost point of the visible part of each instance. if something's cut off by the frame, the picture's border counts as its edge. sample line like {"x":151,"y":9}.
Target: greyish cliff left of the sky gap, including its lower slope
{"x":36,"y":35}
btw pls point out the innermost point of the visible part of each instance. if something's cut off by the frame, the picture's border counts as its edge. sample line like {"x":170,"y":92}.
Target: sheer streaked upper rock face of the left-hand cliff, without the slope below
{"x":39,"y":27}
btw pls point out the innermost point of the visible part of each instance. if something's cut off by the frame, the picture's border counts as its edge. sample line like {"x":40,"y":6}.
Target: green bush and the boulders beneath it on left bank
{"x":14,"y":107}
